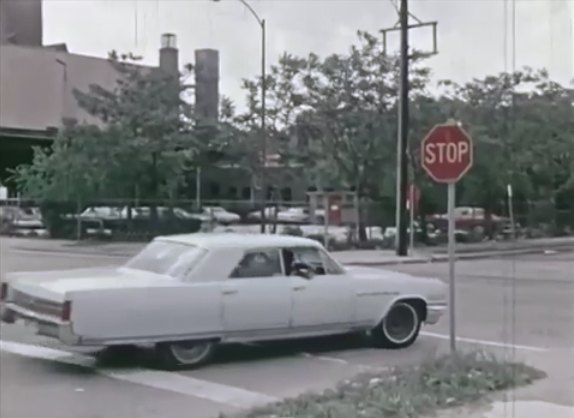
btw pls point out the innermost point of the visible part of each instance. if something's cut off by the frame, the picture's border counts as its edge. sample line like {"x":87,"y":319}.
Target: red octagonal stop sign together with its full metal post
{"x":447,"y":155}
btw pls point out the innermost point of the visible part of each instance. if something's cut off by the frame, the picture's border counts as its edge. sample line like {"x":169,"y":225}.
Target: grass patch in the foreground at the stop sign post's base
{"x":407,"y":392}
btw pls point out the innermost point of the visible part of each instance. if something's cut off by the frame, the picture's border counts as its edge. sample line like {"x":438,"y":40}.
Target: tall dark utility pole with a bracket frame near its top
{"x":402,"y":187}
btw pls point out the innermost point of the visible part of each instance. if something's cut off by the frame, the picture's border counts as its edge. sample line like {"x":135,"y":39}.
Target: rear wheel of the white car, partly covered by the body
{"x":184,"y":354}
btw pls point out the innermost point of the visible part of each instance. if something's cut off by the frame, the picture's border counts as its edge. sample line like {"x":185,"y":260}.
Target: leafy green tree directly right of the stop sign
{"x":523,"y":128}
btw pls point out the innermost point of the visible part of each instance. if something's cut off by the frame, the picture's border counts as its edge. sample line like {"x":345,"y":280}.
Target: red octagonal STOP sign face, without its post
{"x":447,"y":153}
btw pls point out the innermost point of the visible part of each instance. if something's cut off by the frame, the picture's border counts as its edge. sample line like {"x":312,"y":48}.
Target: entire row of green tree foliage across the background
{"x":336,"y":116}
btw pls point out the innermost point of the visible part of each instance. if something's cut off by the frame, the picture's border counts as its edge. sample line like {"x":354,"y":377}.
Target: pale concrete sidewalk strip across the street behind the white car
{"x":350,"y":257}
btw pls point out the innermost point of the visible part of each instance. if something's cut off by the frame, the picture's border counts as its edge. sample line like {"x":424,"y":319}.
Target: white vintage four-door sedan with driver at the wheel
{"x":187,"y":293}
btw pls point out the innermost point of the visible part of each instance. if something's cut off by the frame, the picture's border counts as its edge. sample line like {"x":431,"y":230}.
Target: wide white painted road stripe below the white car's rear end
{"x":172,"y":382}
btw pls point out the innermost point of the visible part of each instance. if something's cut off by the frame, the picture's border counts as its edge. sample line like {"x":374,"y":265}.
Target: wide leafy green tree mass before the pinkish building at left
{"x":138,"y":149}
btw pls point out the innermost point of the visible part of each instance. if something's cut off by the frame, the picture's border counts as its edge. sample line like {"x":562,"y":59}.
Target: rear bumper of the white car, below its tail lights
{"x":45,"y":325}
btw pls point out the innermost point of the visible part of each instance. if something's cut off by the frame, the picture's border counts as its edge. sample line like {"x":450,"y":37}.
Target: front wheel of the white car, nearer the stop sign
{"x":400,"y":327}
